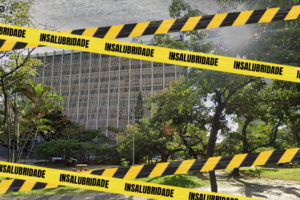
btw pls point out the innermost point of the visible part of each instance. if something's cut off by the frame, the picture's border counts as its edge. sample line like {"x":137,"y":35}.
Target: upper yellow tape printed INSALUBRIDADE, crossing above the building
{"x":151,"y":53}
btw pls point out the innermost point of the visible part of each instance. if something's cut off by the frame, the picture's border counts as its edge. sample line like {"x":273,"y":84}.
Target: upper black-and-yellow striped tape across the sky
{"x":177,"y":25}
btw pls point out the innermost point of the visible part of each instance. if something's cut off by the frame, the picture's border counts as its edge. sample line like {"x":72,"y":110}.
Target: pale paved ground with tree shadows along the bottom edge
{"x":259,"y":188}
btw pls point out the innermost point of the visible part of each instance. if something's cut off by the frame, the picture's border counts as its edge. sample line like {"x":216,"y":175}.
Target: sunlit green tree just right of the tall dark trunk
{"x":259,"y":116}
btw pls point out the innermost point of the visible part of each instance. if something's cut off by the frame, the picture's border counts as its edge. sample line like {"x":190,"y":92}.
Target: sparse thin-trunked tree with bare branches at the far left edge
{"x":18,"y":67}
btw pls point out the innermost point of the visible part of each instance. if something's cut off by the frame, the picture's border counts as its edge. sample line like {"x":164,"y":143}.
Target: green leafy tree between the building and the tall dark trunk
{"x":180,"y":108}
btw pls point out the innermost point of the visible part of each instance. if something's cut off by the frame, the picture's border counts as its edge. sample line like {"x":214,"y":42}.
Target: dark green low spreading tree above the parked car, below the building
{"x":81,"y":144}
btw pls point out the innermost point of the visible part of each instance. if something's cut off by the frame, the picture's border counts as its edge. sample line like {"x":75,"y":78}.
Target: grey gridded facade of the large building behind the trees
{"x":100,"y":91}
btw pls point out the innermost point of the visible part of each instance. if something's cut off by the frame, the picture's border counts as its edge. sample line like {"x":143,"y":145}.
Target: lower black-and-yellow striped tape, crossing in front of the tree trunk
{"x":171,"y":168}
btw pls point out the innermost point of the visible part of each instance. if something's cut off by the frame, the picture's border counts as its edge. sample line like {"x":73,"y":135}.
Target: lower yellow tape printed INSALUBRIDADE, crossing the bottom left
{"x":107,"y":184}
